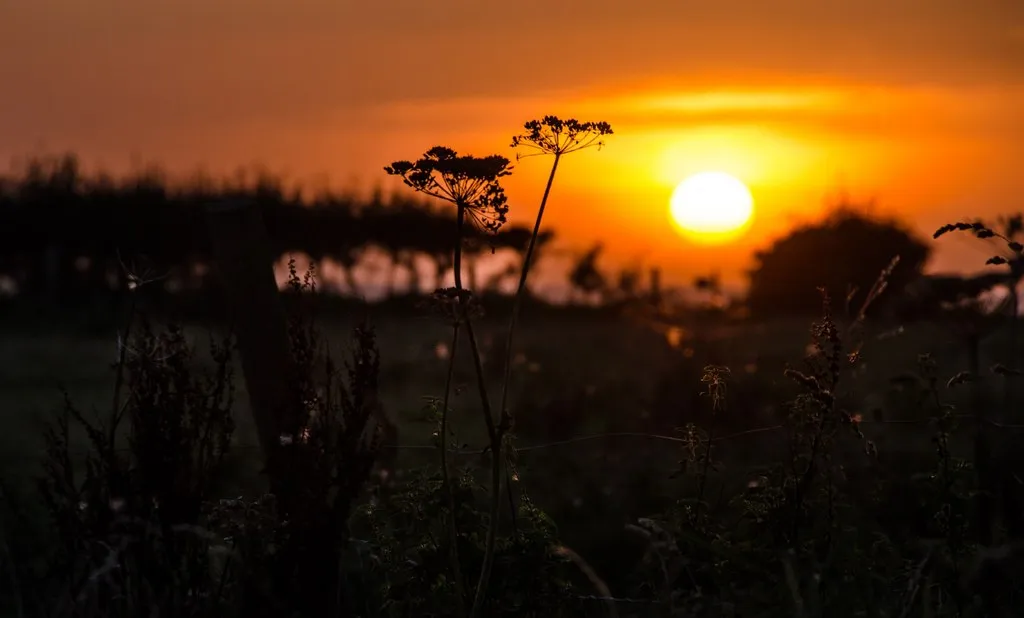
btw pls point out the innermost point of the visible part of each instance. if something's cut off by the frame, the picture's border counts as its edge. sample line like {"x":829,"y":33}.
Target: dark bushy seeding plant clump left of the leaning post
{"x":130,"y":519}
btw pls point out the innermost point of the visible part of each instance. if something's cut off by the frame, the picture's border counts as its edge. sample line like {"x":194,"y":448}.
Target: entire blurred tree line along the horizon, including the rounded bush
{"x":68,"y":236}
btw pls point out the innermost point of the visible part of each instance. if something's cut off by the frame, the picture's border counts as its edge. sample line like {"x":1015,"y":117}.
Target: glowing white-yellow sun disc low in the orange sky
{"x":712,"y":207}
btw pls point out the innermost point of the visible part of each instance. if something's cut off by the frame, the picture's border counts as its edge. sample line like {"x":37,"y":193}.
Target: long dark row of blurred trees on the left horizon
{"x":65,"y":235}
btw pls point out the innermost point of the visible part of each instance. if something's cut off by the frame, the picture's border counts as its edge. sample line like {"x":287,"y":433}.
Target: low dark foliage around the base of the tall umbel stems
{"x":405,"y":562}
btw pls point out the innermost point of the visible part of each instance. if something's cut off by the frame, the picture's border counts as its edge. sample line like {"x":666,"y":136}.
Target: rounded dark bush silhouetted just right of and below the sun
{"x":845,"y":253}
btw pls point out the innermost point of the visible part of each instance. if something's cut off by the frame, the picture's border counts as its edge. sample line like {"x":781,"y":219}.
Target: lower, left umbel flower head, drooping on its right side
{"x":473,"y":184}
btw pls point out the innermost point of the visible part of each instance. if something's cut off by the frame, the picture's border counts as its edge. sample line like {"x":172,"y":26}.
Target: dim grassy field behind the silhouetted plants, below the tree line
{"x":600,"y":401}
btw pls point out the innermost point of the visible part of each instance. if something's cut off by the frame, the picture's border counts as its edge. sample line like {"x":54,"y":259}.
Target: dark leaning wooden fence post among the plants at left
{"x":244,"y":262}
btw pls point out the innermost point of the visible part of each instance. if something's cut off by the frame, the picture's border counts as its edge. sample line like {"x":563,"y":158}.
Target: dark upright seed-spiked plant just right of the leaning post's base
{"x":329,"y":446}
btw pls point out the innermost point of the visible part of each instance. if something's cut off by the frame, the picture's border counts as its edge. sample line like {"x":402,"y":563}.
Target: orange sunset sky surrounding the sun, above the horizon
{"x":914,"y":105}
